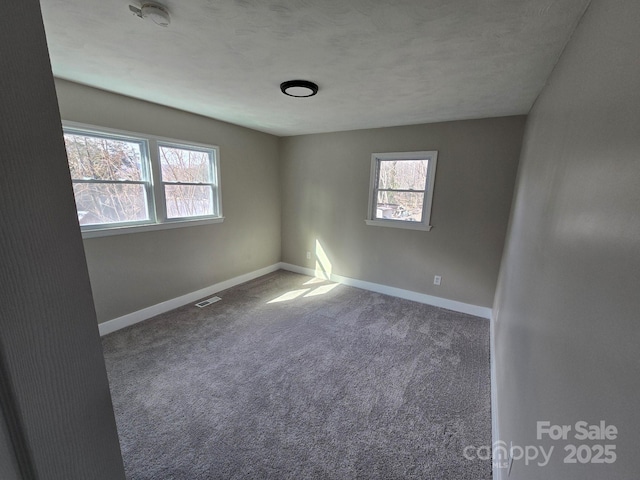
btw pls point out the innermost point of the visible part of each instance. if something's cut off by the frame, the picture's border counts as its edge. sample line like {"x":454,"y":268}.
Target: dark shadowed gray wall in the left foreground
{"x":54,"y":396}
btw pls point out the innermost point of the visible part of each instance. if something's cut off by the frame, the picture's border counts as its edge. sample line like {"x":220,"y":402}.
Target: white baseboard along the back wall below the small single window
{"x":454,"y":305}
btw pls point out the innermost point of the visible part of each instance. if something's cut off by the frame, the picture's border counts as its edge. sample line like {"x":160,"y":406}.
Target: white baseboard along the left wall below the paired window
{"x":146,"y":313}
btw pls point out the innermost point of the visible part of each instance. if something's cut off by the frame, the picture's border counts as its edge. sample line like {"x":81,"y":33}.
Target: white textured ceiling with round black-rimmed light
{"x":378,"y":63}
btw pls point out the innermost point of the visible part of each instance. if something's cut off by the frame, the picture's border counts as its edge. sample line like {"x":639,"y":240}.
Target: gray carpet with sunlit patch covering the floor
{"x":337,"y":383}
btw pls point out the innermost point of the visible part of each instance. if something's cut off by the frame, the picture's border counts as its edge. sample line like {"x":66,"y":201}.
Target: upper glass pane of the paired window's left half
{"x":98,"y":158}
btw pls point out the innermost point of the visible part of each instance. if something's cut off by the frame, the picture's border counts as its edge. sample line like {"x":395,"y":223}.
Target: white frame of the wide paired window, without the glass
{"x":153,"y":182}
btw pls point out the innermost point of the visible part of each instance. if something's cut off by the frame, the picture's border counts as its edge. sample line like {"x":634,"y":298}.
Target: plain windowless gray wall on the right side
{"x":567,"y":304}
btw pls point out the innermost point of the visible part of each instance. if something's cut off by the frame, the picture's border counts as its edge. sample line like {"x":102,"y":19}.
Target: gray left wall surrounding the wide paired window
{"x":134,"y":271}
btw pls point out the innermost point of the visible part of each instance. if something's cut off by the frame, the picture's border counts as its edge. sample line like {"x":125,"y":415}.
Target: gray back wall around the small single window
{"x":325,"y":185}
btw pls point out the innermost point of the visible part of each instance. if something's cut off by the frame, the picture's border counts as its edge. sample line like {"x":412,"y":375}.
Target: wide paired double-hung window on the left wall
{"x":125,"y":182}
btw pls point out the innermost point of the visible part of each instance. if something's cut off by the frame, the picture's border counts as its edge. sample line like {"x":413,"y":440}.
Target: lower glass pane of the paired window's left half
{"x":99,"y":203}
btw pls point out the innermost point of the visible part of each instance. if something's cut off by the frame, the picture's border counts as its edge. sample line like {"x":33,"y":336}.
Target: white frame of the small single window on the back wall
{"x":376,"y":158}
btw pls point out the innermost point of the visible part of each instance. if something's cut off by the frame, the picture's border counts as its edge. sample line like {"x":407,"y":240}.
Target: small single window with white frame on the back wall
{"x":401,"y":189}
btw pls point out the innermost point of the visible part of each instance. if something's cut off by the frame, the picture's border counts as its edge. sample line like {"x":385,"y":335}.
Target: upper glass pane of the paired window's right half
{"x":184,"y":165}
